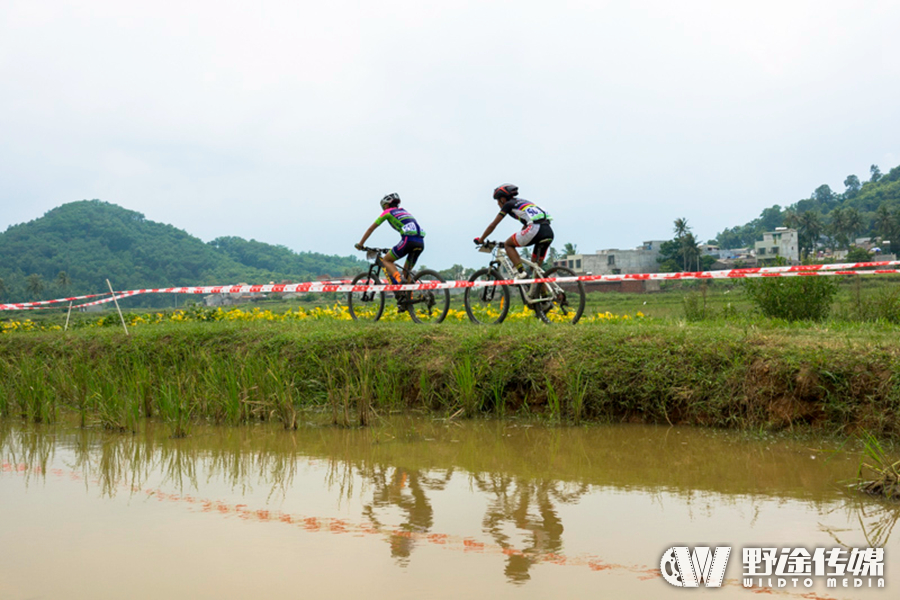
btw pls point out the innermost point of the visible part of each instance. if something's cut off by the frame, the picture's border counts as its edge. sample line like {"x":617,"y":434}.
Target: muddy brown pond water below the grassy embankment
{"x":414,"y":509}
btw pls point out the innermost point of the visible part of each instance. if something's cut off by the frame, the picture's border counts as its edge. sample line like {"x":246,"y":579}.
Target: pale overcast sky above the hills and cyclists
{"x":287,"y":121}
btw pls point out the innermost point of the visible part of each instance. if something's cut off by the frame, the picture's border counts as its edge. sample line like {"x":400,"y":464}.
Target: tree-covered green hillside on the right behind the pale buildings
{"x":876,"y":202}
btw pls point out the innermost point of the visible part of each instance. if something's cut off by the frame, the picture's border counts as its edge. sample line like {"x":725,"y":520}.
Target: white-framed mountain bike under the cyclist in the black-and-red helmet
{"x":550,"y":301}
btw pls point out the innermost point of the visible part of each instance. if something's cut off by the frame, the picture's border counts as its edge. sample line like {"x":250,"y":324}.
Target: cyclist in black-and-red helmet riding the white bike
{"x":537,"y":229}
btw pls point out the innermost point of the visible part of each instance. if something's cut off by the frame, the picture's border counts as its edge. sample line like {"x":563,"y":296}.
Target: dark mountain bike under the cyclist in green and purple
{"x":423,"y":305}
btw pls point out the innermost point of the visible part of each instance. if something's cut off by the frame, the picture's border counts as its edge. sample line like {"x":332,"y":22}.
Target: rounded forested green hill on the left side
{"x":74,"y":248}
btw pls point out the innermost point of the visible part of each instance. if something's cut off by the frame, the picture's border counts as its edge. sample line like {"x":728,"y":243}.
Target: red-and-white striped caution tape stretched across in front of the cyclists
{"x":866,"y":268}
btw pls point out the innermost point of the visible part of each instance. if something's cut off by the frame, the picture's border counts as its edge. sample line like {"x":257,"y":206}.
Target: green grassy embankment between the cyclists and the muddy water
{"x":741,"y":375}
